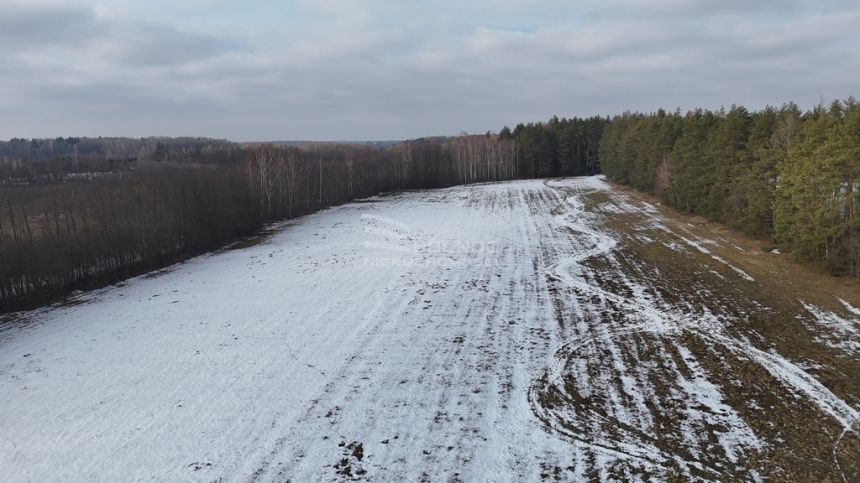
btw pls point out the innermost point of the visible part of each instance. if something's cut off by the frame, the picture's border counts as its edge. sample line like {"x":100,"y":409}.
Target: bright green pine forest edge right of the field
{"x":781,"y":173}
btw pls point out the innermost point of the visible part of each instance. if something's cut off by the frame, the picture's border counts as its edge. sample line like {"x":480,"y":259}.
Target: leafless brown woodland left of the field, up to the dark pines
{"x":58,"y":236}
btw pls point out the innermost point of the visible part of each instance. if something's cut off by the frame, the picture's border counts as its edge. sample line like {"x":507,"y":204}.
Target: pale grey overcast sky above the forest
{"x":386,"y":69}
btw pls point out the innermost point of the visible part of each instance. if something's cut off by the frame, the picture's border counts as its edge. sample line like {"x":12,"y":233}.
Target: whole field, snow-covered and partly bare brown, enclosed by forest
{"x":527,"y":330}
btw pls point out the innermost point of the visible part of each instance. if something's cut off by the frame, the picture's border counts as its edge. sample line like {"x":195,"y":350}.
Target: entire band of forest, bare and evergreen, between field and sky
{"x":781,"y":173}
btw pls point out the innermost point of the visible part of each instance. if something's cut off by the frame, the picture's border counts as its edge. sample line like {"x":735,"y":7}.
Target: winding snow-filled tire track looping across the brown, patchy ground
{"x":659,"y":322}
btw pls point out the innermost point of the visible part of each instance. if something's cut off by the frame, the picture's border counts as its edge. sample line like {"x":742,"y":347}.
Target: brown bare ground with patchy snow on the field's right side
{"x":688,"y":365}
